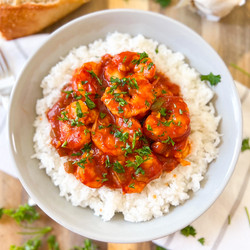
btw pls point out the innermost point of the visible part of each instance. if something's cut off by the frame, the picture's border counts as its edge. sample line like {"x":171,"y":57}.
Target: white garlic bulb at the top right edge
{"x":212,"y":9}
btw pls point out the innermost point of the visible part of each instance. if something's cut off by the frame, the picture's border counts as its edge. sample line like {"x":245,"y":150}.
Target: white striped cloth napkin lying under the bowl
{"x":224,"y":226}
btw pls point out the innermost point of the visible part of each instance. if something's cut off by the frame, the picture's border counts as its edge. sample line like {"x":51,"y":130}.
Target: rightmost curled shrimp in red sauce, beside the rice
{"x":168,"y":122}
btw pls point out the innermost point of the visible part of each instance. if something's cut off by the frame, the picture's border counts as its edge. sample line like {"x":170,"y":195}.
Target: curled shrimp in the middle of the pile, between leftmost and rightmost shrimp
{"x":116,"y":138}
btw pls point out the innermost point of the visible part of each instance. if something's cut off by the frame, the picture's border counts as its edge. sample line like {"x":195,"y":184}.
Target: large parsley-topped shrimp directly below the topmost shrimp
{"x":129,"y":97}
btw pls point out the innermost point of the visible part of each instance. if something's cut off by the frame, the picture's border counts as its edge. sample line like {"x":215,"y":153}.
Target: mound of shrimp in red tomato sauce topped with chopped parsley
{"x":121,"y":123}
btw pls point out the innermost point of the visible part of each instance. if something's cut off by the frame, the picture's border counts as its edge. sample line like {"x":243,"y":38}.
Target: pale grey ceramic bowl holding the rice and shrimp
{"x":22,"y":115}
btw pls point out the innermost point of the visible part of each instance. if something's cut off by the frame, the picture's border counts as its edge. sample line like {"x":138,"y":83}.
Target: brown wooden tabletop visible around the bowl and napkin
{"x":230,"y":38}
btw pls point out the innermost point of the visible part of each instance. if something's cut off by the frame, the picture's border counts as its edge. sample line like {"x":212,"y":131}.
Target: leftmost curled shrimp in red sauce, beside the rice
{"x":74,"y":125}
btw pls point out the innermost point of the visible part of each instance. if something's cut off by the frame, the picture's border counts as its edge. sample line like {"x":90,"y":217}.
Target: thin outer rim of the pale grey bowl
{"x":141,"y":237}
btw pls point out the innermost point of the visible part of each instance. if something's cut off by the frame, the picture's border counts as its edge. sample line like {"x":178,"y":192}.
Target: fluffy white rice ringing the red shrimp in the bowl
{"x":171,"y":189}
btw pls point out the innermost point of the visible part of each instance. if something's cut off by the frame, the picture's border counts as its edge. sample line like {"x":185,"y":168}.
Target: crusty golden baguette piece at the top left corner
{"x":20,"y":18}
